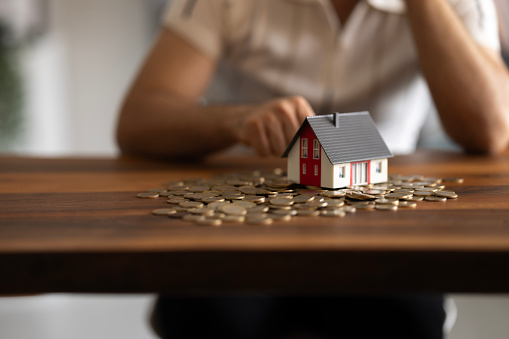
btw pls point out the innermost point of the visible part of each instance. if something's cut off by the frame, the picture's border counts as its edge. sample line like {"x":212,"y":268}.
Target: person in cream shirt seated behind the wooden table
{"x":225,"y":72}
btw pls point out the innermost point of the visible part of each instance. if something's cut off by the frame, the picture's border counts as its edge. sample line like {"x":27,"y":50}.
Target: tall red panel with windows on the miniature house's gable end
{"x":310,"y":162}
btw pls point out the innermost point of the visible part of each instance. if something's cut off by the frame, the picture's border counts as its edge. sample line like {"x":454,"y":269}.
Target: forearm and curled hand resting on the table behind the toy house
{"x":167,"y":126}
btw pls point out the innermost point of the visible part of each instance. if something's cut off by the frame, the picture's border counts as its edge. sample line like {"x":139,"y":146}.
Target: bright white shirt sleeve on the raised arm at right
{"x":481,"y":21}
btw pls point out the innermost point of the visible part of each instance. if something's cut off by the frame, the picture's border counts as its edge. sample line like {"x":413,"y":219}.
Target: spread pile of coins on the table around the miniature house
{"x":261,"y":198}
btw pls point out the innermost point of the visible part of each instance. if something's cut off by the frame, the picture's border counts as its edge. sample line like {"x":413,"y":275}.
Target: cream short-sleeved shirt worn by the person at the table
{"x":271,"y":48}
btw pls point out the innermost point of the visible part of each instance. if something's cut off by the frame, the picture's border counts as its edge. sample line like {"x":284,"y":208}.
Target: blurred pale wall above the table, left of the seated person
{"x":79,"y":71}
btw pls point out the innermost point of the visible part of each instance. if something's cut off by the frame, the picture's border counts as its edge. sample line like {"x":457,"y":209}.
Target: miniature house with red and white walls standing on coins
{"x":337,"y":150}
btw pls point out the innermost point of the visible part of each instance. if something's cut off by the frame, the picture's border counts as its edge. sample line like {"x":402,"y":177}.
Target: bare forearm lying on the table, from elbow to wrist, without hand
{"x":165,"y":126}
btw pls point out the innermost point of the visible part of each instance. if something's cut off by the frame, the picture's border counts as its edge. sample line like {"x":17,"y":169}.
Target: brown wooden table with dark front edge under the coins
{"x":75,"y":225}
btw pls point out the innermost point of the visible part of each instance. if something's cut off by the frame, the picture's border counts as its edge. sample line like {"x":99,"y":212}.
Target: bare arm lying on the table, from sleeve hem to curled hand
{"x":161,"y":115}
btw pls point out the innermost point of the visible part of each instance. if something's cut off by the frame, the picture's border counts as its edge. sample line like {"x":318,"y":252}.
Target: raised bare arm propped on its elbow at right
{"x":469,"y":83}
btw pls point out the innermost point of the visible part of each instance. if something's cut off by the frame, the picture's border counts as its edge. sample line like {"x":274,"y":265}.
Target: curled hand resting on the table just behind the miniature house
{"x":270,"y":127}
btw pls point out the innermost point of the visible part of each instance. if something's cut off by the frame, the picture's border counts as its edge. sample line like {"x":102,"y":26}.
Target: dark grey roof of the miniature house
{"x":356,"y":138}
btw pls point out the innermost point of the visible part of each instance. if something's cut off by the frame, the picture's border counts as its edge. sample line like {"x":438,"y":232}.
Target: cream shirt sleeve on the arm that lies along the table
{"x":197,"y":21}
